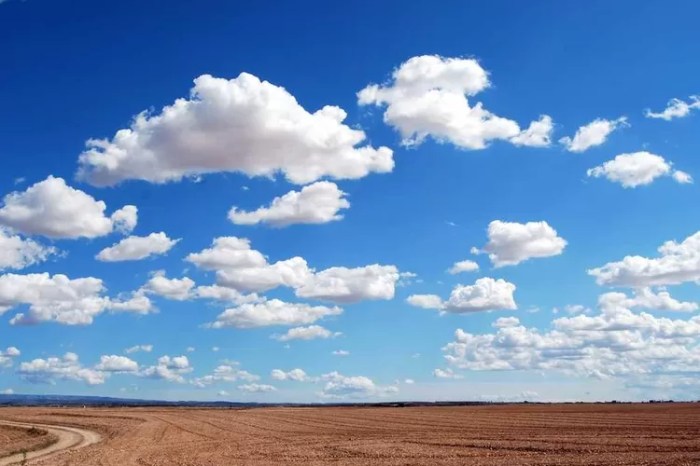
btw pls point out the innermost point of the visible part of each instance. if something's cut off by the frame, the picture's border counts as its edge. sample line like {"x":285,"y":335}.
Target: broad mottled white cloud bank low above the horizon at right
{"x":615,"y":342}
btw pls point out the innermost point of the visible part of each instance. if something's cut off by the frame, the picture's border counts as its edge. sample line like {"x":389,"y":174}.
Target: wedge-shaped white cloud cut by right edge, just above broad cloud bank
{"x":677,"y":263}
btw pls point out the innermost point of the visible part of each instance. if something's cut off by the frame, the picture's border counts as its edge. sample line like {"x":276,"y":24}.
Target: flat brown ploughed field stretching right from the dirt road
{"x":580,"y":434}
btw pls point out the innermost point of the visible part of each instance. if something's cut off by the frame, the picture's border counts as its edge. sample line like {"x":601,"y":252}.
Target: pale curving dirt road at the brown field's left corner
{"x":69,"y":438}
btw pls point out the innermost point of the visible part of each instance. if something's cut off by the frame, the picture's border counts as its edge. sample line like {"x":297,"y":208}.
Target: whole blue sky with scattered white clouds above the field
{"x":313,"y":202}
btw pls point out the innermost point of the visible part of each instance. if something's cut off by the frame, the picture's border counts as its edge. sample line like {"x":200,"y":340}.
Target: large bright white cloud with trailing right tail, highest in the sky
{"x":428,"y":96}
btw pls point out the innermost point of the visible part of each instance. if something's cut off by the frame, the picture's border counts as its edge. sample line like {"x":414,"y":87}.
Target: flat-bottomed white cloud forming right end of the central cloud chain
{"x":345,"y":285}
